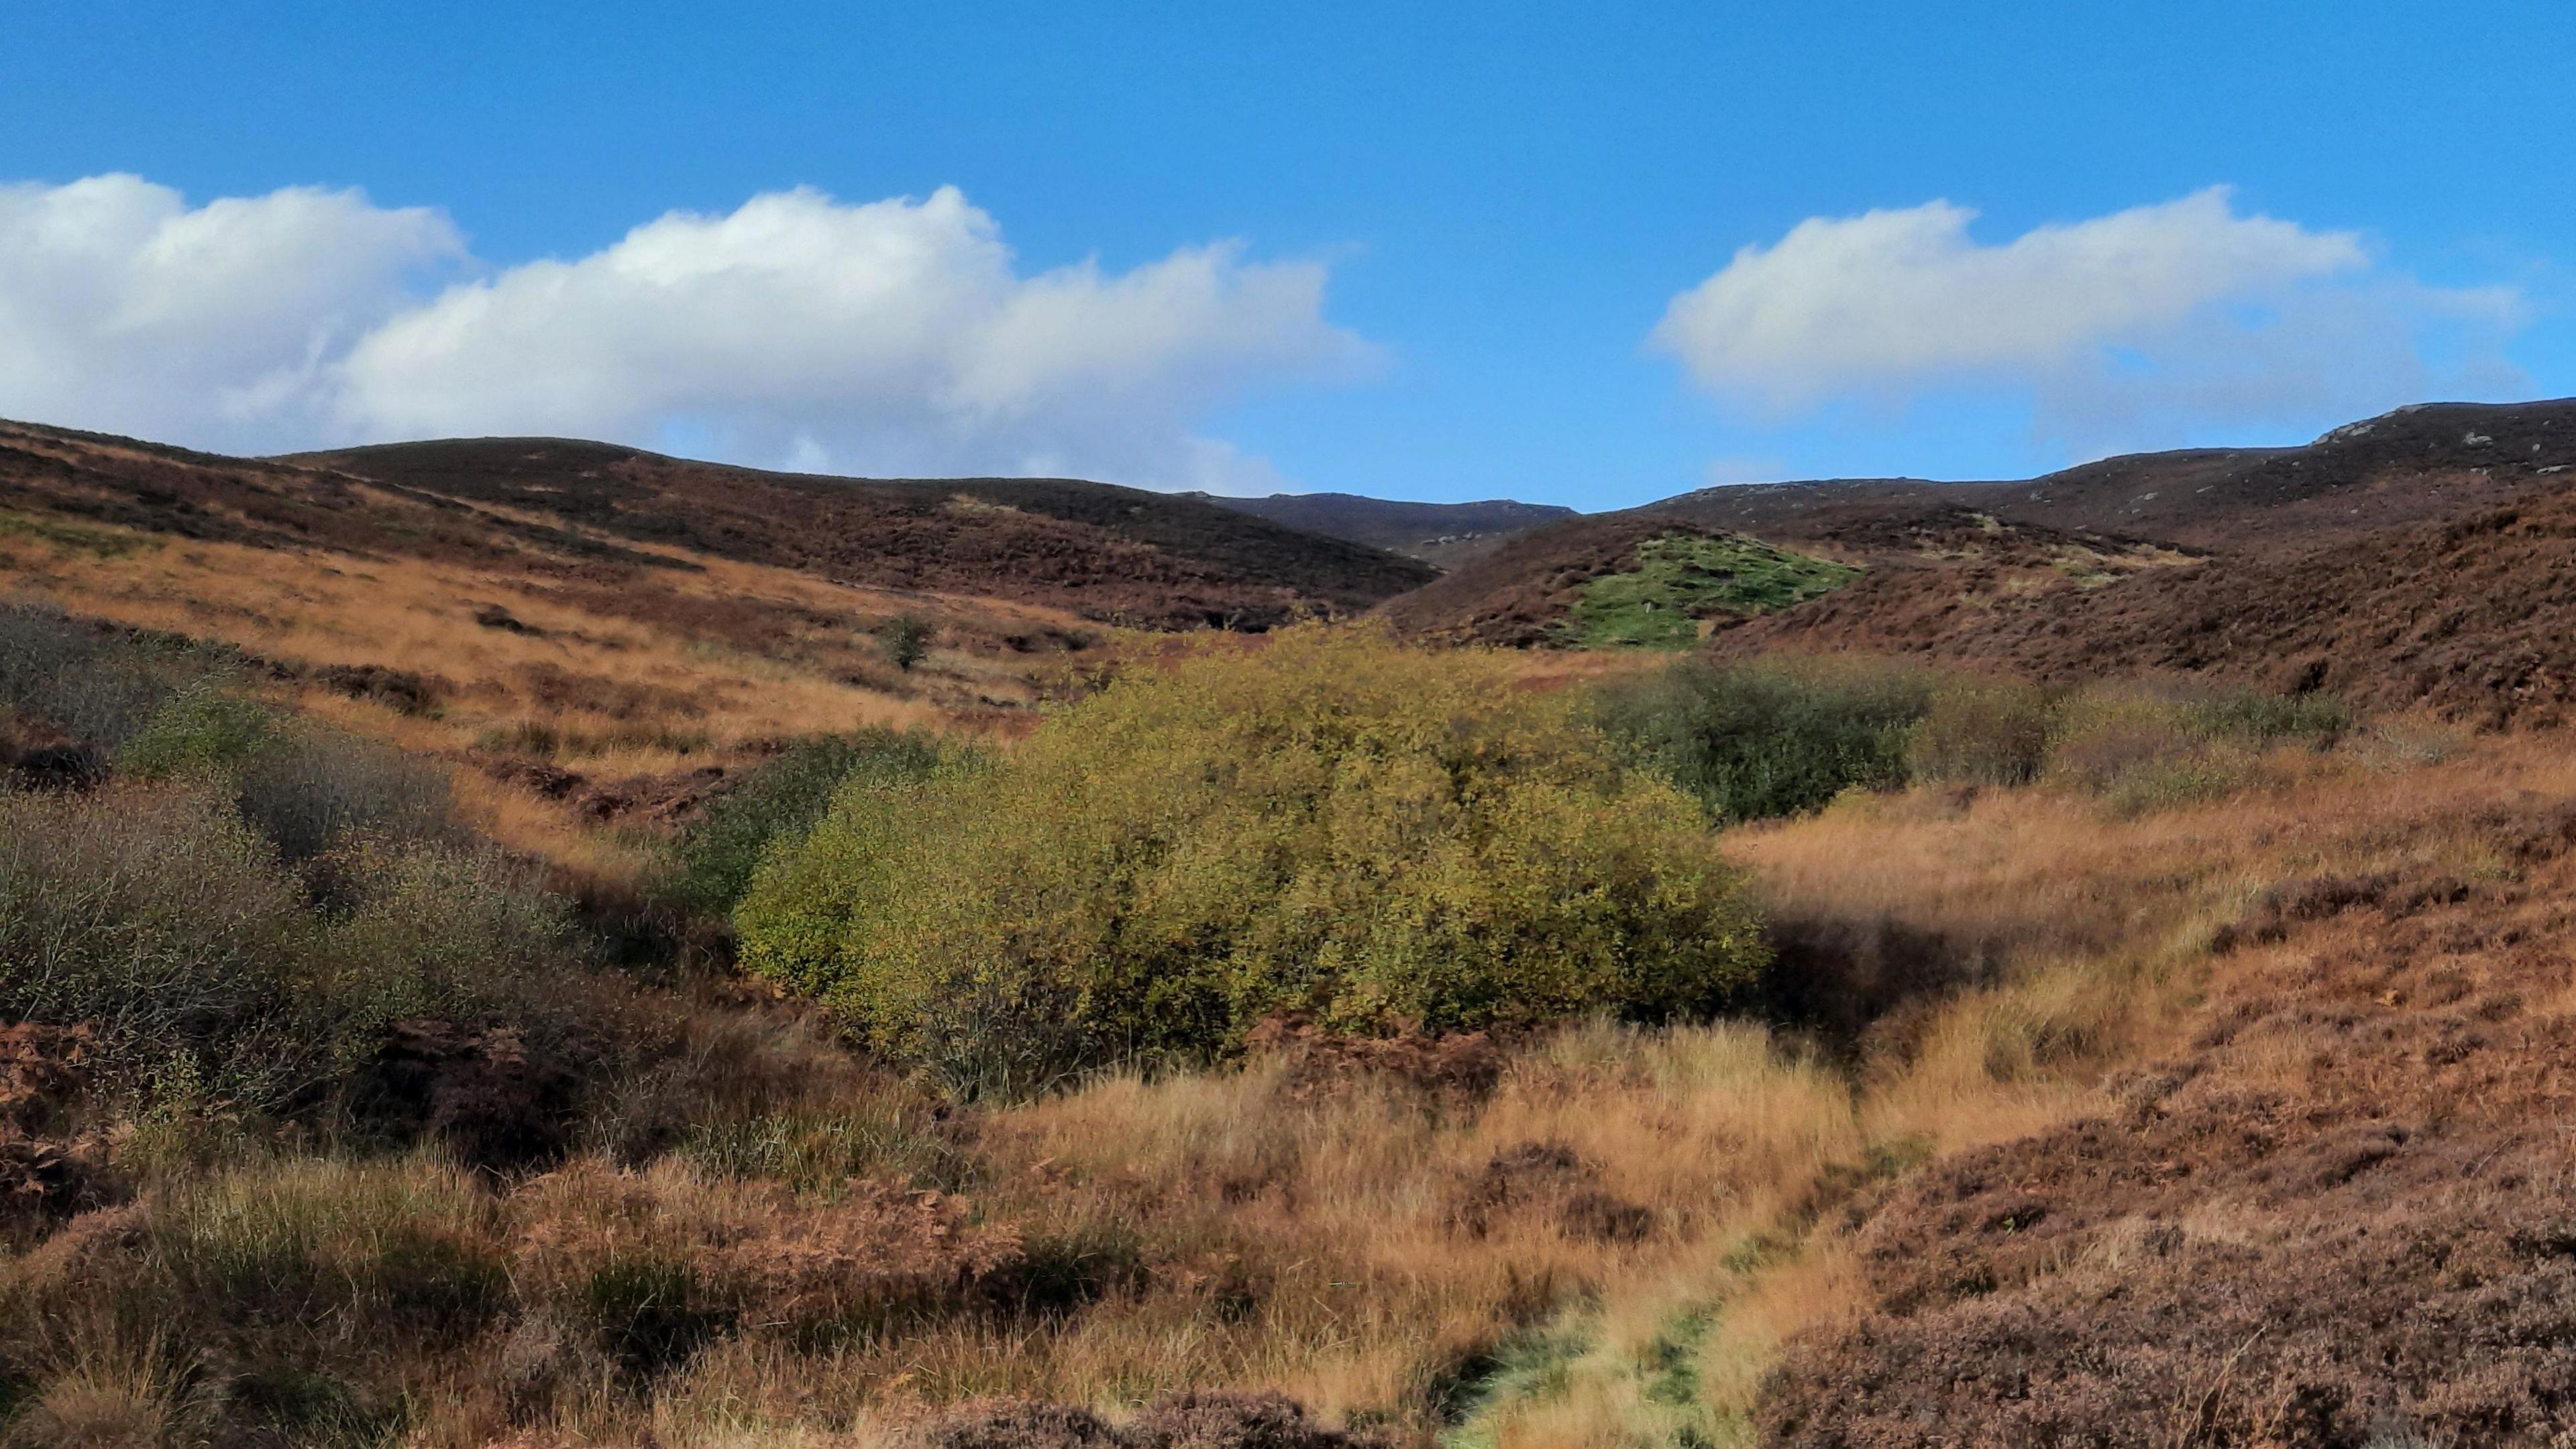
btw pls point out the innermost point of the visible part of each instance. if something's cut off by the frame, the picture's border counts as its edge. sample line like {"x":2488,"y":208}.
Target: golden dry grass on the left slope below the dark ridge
{"x":635,"y":679}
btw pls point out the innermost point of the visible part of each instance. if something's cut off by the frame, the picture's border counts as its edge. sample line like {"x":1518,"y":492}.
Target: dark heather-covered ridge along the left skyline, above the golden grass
{"x":1106,"y":553}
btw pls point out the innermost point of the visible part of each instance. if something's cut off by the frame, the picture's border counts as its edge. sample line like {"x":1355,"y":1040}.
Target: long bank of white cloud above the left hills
{"x":797,"y":331}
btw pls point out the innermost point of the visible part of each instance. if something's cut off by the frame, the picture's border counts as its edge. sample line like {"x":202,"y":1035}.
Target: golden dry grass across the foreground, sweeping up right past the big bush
{"x":1604,"y":1247}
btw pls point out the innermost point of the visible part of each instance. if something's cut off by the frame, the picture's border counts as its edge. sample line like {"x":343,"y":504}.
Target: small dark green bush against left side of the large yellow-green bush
{"x":782,"y":801}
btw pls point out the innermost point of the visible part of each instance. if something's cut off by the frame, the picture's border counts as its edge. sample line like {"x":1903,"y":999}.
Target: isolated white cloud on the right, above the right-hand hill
{"x":2132,"y":324}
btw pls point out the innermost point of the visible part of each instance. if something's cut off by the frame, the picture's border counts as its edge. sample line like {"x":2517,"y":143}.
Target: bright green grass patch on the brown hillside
{"x":1683,"y":579}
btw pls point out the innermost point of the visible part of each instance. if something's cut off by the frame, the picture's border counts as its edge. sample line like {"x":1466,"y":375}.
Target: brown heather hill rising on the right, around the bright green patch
{"x":2415,"y":558}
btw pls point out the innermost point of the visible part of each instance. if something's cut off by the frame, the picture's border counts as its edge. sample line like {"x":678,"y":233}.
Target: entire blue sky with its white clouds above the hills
{"x":1459,"y":251}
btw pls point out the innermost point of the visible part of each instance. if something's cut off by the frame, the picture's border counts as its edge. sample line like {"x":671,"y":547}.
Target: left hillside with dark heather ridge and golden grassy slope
{"x":594,"y":633}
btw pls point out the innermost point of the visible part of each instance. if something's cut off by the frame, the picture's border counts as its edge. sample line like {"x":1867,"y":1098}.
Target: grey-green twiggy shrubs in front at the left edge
{"x":171,"y":929}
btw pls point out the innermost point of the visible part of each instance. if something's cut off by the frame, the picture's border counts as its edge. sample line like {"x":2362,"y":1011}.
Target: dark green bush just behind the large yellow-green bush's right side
{"x":1766,"y":741}
